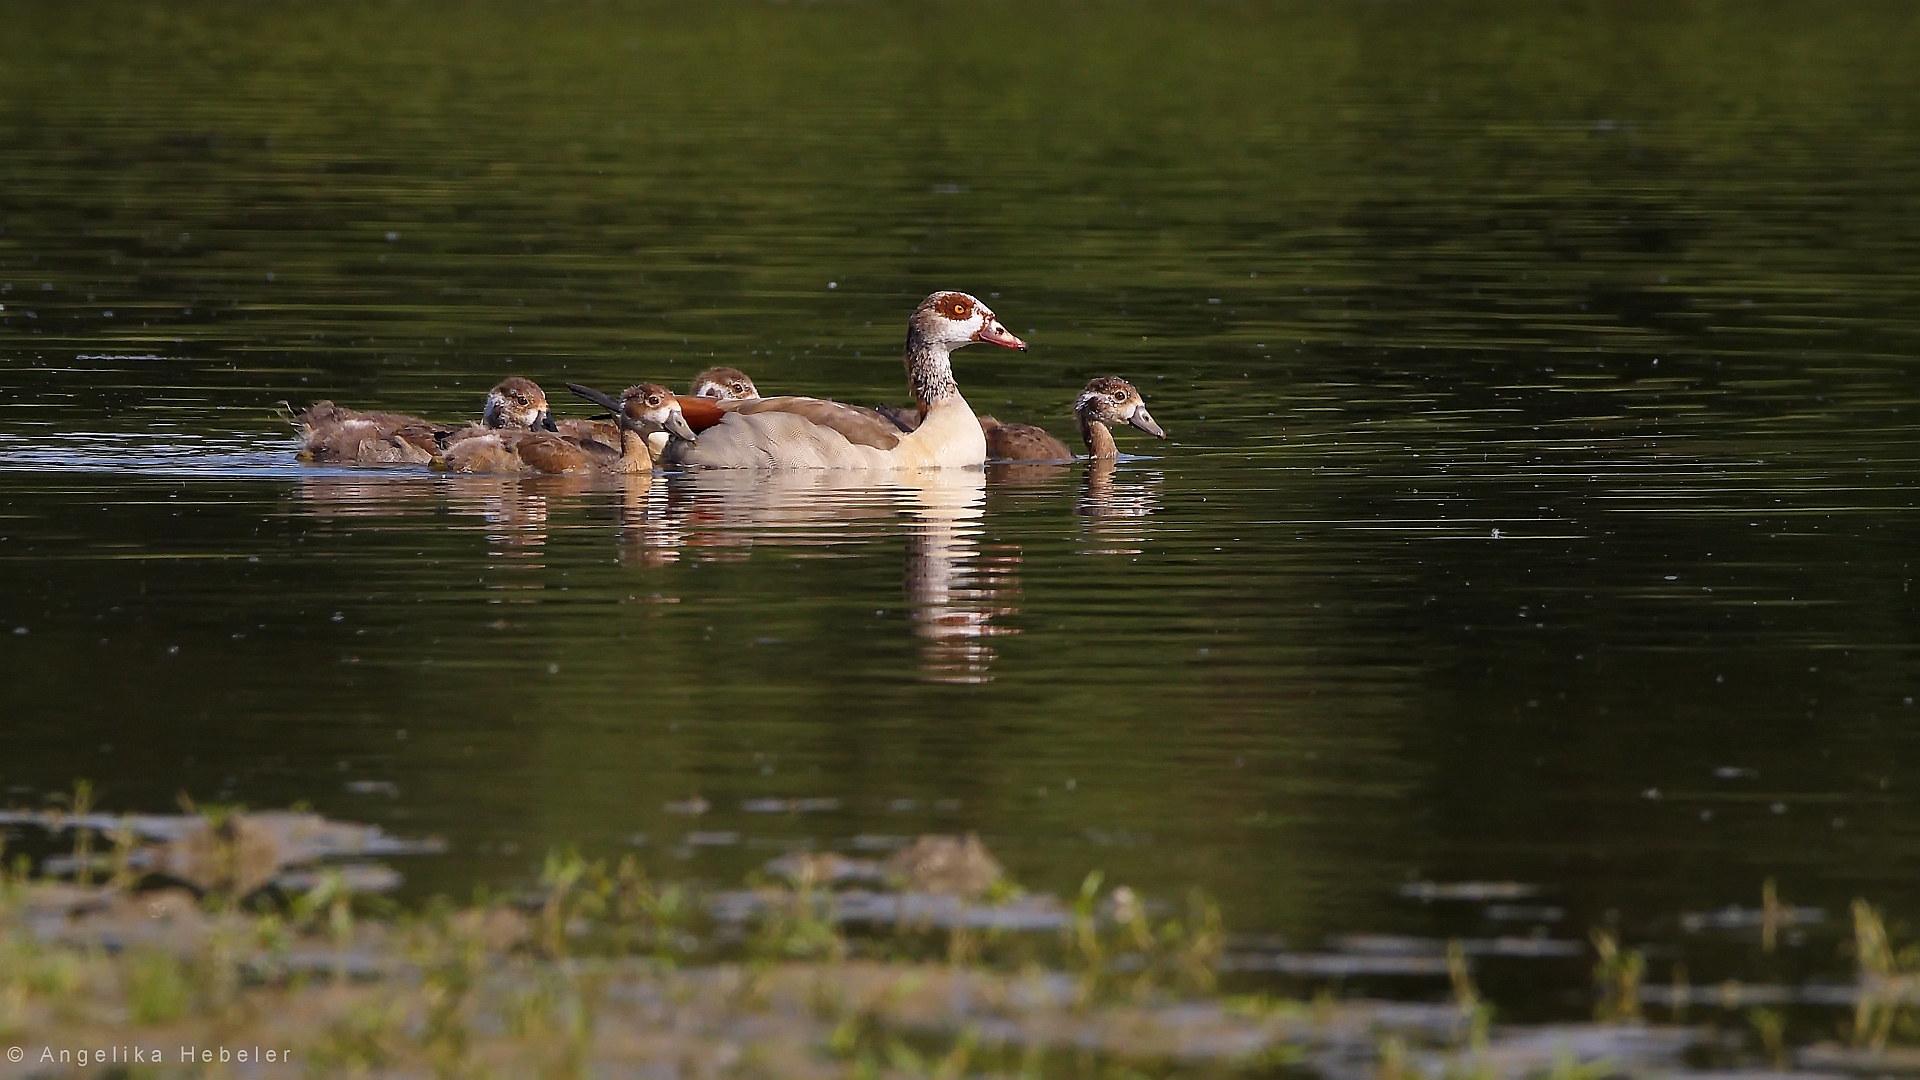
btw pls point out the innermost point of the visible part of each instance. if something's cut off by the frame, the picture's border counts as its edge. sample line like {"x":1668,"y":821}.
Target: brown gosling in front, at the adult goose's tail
{"x":640,"y":412}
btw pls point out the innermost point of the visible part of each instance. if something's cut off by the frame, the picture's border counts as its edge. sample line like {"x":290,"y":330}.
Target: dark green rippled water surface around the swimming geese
{"x":1539,"y":503}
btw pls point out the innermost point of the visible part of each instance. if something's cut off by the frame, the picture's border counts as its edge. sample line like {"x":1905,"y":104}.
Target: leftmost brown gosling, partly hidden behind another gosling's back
{"x":329,"y":433}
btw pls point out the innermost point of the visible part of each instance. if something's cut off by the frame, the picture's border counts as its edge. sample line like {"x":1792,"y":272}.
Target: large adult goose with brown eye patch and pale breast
{"x":813,"y":433}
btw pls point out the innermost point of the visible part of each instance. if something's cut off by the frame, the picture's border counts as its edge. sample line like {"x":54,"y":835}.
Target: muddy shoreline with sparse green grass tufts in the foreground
{"x":229,"y":943}
